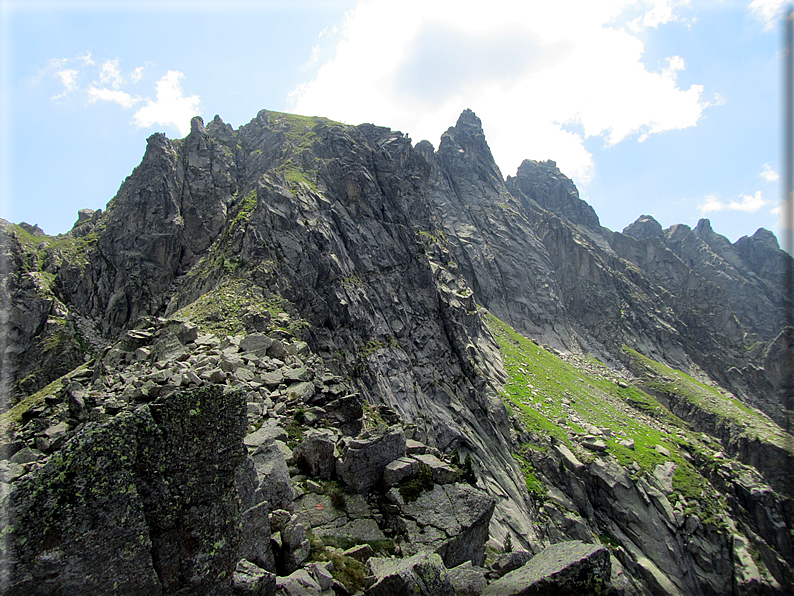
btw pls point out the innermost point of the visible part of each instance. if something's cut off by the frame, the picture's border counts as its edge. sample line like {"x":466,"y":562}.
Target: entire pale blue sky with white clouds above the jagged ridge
{"x":660,"y":107}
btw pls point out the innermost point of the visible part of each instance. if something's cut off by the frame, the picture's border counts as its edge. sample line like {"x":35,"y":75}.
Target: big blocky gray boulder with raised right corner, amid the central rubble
{"x":363,"y":461}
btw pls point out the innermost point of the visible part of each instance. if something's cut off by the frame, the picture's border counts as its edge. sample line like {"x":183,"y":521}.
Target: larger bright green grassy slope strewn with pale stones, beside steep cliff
{"x":557,"y":399}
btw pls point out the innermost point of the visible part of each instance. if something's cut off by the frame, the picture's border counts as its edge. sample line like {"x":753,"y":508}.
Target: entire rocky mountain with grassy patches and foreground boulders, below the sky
{"x":305,"y":358}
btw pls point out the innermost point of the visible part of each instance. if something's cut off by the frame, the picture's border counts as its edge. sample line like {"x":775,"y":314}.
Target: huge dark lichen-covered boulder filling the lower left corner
{"x":142,"y":504}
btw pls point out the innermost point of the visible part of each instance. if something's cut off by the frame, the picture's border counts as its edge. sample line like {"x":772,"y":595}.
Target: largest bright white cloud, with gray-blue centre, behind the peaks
{"x":534,"y":72}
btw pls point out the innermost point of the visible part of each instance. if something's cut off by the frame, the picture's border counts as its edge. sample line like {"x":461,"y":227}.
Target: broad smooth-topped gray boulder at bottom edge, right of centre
{"x":564,"y":569}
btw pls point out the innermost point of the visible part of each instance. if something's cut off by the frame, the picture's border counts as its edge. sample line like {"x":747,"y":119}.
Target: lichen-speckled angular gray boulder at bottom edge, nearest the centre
{"x":420,"y":575}
